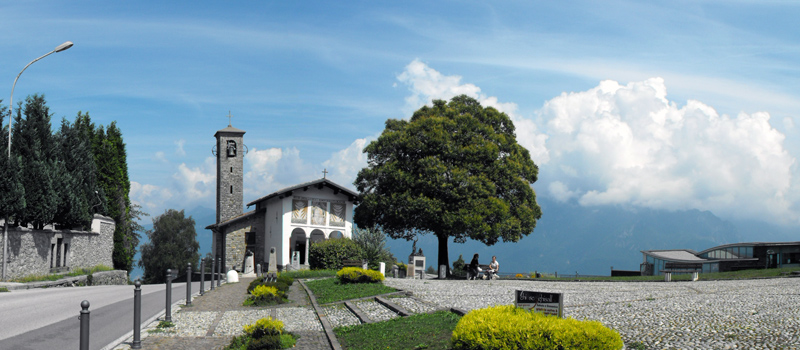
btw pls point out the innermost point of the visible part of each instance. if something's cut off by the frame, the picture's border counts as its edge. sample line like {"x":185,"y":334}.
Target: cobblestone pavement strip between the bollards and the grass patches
{"x":217,"y":316}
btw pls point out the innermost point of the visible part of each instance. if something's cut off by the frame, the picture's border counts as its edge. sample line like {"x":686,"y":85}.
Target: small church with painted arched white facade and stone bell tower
{"x":290,"y":219}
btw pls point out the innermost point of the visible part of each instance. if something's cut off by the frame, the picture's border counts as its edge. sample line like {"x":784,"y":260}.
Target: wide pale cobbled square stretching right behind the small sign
{"x":749,"y":314}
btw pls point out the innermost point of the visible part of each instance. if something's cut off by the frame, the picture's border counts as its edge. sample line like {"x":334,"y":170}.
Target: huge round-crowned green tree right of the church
{"x":454,"y":170}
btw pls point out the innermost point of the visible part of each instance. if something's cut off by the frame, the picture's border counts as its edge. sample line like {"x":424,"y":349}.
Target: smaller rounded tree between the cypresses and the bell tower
{"x":173,"y":244}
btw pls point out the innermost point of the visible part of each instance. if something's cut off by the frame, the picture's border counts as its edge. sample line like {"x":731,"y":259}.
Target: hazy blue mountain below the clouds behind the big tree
{"x":590,"y":240}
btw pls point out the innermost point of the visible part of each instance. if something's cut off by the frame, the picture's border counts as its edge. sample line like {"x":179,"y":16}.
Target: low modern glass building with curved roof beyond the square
{"x":728,"y":257}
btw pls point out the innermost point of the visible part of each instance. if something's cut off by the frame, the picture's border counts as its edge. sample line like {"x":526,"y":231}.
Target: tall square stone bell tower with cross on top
{"x":230,"y":151}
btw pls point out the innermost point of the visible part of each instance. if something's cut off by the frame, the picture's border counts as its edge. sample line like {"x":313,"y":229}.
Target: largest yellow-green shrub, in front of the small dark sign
{"x":509,"y":327}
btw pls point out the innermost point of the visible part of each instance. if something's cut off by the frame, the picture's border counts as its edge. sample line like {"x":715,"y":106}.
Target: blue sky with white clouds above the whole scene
{"x":661,"y":104}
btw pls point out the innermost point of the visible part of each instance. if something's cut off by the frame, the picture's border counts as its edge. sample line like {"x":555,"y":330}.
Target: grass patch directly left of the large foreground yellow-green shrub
{"x":423,"y":331}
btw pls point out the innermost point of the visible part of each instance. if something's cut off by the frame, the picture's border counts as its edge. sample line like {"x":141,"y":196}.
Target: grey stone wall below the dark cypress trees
{"x":32,"y":252}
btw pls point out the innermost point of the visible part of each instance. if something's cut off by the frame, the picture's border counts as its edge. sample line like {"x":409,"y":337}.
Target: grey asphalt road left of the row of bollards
{"x":41,"y":319}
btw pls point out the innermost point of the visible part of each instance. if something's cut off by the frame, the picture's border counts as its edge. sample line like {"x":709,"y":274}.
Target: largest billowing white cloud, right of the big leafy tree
{"x":630,"y":145}
